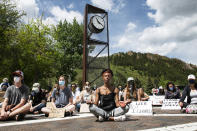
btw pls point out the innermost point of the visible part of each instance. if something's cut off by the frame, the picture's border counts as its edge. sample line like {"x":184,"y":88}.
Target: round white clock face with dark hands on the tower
{"x":98,"y":22}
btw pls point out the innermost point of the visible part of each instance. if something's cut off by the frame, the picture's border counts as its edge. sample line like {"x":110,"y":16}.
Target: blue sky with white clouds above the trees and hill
{"x":164,"y":27}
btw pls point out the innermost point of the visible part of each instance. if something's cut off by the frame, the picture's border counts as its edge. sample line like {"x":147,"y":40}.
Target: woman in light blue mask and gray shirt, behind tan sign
{"x":61,"y":98}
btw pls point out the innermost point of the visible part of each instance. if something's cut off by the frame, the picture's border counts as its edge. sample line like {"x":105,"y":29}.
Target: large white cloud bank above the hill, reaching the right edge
{"x":174,"y":35}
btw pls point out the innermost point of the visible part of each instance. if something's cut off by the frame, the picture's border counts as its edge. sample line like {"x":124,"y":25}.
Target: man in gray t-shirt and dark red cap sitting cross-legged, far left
{"x":15,"y":103}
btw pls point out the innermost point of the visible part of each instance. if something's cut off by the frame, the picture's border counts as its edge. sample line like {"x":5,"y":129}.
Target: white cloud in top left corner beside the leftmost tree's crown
{"x":30,"y":7}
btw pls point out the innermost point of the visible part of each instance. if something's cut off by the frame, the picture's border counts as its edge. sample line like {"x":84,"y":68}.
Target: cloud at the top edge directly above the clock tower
{"x":109,"y":5}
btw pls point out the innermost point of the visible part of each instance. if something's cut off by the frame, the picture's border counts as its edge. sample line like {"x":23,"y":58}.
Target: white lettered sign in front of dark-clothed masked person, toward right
{"x":171,"y":104}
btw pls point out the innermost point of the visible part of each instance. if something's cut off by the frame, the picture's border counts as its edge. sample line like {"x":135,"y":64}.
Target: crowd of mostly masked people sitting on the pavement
{"x":106,"y":102}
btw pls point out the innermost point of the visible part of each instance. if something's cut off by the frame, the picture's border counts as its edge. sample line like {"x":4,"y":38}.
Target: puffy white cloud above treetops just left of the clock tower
{"x":62,"y":14}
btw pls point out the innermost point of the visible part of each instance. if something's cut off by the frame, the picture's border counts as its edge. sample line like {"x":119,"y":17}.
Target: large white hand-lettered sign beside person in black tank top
{"x":140,"y":108}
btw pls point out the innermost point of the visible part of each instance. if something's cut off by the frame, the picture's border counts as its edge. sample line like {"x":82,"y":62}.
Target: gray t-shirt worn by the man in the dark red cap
{"x":15,"y":95}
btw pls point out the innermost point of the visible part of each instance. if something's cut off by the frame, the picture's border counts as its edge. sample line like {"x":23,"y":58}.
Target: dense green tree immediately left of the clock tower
{"x":69,"y":41}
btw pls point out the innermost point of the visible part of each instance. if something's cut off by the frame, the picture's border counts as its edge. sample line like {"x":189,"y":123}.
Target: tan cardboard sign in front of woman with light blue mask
{"x":55,"y":112}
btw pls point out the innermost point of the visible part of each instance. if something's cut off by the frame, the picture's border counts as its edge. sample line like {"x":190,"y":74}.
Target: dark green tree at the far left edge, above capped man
{"x":9,"y":21}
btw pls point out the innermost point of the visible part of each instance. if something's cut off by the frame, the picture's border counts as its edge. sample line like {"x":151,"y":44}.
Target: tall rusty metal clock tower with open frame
{"x":95,"y":44}
